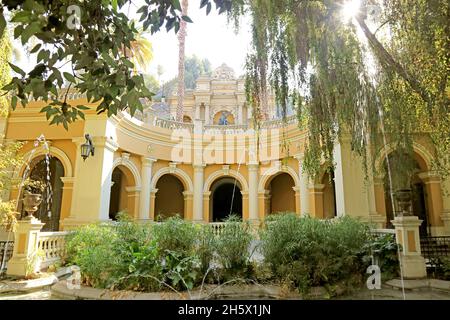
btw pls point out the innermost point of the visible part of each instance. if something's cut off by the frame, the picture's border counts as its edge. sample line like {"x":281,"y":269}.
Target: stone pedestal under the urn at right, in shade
{"x":407,"y":235}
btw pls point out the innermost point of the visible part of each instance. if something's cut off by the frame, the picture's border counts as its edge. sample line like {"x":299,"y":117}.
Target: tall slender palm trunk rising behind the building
{"x":181,"y":56}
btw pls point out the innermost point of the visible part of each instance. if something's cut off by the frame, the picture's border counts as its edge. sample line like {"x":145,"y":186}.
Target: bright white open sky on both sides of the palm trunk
{"x":208,"y":37}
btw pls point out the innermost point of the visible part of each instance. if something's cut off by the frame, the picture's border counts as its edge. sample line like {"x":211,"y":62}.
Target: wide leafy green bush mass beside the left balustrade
{"x":130,"y":256}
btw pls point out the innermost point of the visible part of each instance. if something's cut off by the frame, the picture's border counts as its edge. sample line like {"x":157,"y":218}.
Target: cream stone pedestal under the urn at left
{"x":26,"y":240}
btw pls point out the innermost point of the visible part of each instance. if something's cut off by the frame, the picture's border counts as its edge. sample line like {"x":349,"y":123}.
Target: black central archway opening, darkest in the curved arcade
{"x":225,"y":203}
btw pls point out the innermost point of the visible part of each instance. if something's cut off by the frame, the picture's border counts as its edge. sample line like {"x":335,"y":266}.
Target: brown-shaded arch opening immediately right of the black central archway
{"x":281,"y":193}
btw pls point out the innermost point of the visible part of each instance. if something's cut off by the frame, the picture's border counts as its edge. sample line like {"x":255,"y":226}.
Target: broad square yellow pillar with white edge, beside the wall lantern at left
{"x":92,"y":187}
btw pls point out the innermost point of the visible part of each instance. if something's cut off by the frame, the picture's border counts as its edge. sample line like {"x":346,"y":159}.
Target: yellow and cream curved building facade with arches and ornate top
{"x":212,"y":165}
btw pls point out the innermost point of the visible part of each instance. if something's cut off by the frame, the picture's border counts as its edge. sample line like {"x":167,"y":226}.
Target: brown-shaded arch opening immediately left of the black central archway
{"x":169,"y":200}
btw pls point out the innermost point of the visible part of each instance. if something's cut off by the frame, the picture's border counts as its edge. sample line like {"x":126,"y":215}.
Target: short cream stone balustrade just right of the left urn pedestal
{"x":52,"y":245}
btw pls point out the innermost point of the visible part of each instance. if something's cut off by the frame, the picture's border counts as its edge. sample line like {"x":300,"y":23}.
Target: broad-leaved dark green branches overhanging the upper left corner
{"x":93,"y":38}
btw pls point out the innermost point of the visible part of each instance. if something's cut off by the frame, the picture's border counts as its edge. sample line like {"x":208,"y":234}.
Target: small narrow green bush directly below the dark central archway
{"x":233,"y":248}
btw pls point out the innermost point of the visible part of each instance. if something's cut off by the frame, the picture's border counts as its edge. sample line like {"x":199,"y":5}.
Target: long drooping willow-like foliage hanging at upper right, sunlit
{"x":376,"y":79}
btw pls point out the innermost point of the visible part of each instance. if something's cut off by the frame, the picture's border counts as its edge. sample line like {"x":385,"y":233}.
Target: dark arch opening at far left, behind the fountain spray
{"x":49,"y":211}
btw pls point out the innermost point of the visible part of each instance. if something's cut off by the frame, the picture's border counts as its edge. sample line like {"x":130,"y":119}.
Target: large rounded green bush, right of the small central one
{"x":304,"y":252}
